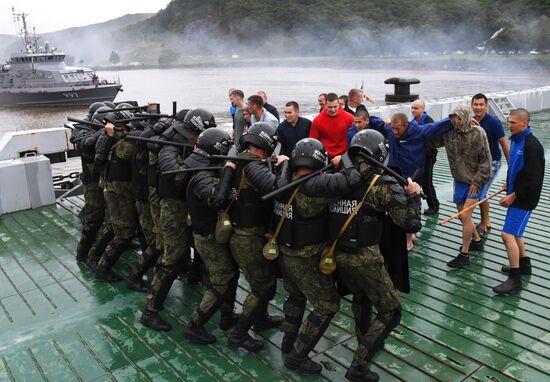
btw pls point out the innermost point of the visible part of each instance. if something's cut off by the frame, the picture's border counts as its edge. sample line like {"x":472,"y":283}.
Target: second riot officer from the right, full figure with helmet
{"x":301,"y":239}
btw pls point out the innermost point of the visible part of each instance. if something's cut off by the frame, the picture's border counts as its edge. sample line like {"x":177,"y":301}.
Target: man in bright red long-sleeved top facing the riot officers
{"x":331,"y":126}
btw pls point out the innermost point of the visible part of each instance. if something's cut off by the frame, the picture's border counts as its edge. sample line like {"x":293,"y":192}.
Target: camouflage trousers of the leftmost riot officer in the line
{"x":92,"y":216}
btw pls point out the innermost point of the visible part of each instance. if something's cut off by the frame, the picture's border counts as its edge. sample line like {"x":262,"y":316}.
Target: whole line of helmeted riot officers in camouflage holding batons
{"x":180,"y":182}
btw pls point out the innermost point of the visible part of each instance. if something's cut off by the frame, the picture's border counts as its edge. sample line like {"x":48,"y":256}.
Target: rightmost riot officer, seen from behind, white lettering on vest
{"x":360,"y":264}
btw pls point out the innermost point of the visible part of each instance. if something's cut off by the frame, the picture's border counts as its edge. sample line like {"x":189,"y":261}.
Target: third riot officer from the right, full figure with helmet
{"x":250,"y":217}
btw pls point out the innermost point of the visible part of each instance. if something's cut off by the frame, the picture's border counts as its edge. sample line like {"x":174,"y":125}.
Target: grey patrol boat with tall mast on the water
{"x":38,"y":76}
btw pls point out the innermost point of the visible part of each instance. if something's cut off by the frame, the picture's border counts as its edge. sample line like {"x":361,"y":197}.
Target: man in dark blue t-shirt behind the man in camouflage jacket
{"x":495,"y":136}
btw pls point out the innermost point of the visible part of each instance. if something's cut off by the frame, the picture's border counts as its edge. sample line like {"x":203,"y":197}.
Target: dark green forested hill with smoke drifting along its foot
{"x":348,"y":27}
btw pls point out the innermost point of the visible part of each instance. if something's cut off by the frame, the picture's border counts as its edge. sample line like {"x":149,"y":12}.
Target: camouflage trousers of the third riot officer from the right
{"x":259,"y":272}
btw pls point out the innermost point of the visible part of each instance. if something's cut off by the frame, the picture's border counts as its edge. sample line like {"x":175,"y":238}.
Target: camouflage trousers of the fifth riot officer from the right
{"x":176,"y":254}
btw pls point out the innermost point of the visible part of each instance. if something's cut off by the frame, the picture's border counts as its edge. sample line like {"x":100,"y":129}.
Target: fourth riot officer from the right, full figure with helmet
{"x":207,"y":193}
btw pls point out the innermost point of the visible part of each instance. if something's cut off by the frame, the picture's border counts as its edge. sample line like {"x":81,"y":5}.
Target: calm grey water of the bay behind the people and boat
{"x":207,"y":88}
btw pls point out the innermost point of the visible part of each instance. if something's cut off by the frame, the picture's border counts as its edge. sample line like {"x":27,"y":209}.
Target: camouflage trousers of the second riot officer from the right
{"x":304,"y":281}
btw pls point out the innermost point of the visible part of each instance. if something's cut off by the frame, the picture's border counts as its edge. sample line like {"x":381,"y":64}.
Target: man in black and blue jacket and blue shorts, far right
{"x":523,"y":187}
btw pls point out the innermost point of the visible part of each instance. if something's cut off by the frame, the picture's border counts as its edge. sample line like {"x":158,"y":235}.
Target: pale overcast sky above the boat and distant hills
{"x":54,"y":15}
